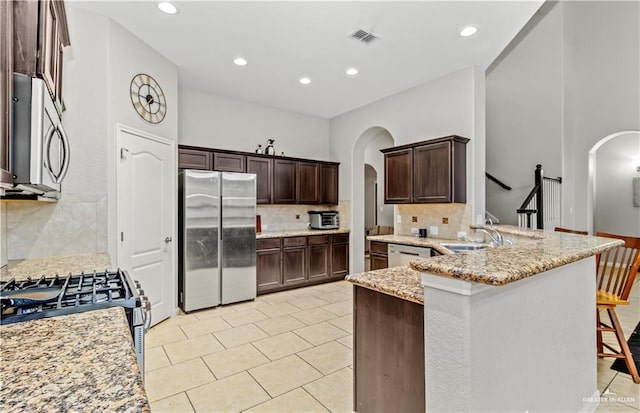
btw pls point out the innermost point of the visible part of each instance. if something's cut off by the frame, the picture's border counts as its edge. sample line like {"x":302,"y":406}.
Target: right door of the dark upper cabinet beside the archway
{"x":432,"y":173}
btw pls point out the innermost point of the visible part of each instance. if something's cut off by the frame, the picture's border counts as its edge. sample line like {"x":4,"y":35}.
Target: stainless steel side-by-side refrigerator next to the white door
{"x":217,"y":238}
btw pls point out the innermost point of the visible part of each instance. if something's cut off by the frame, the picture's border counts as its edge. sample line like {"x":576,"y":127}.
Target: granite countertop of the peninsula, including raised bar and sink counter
{"x":533,"y":252}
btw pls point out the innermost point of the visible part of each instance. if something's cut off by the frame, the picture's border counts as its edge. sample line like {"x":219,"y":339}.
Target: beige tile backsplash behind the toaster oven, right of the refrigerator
{"x":283,"y":217}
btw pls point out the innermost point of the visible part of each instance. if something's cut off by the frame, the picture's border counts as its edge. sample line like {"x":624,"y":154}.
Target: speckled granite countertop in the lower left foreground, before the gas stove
{"x":77,"y":362}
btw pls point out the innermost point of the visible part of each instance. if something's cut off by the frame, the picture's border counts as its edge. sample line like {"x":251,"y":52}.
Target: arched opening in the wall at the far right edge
{"x":614,"y":181}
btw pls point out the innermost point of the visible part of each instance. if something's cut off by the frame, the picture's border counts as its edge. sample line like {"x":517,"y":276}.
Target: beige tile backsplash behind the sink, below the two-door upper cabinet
{"x":457,"y":216}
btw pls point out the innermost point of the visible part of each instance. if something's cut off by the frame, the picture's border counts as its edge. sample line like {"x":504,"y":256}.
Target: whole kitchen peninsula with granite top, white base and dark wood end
{"x":502,"y":329}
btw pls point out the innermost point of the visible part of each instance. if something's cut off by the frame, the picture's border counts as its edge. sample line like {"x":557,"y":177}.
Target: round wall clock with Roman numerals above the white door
{"x":147,"y":98}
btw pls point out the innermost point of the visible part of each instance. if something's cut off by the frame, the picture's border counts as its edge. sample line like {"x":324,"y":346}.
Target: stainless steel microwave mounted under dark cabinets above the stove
{"x":40,"y":151}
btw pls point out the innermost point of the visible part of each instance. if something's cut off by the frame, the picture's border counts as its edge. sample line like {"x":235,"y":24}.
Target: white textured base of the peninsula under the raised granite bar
{"x":529,"y":345}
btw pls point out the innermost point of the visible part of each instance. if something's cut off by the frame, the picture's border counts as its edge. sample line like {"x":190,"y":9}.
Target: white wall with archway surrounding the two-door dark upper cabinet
{"x":444,"y":106}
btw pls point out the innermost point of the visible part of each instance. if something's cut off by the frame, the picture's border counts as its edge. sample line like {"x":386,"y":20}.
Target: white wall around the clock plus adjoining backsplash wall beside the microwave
{"x":98,"y":70}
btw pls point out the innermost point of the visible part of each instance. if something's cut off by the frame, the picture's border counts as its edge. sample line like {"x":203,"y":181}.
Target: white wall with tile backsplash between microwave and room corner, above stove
{"x":77,"y":224}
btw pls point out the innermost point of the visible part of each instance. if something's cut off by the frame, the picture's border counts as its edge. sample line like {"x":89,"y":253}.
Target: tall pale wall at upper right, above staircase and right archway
{"x":554,"y":93}
